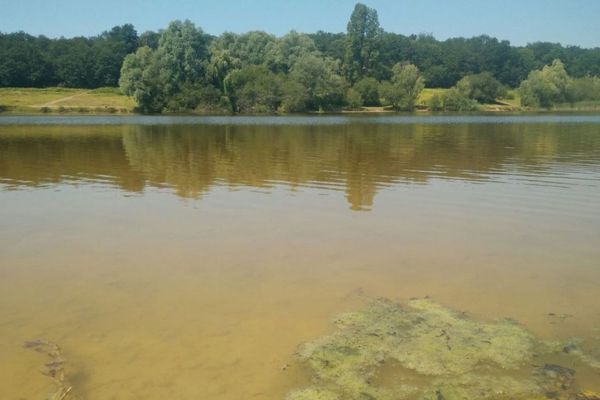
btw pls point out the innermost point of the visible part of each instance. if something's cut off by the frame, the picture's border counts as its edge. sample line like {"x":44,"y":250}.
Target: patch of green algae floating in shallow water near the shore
{"x":440,"y":354}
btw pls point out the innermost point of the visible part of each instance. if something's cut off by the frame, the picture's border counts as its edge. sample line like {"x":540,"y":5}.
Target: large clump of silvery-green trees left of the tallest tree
{"x":255,"y":72}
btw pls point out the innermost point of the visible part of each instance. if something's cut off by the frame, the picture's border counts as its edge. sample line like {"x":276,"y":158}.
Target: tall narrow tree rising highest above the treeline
{"x":362,"y":42}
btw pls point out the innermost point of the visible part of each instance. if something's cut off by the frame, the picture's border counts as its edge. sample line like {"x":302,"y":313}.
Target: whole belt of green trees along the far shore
{"x":183,"y":68}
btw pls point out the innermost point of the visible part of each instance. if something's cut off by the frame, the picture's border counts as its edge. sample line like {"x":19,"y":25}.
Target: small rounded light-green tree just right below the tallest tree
{"x":405,"y":87}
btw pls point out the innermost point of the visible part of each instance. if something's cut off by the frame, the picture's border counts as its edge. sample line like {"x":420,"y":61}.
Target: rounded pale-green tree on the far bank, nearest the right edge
{"x":546,"y":87}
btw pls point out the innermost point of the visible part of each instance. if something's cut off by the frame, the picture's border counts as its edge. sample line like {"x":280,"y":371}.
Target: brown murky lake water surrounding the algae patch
{"x":187,"y":258}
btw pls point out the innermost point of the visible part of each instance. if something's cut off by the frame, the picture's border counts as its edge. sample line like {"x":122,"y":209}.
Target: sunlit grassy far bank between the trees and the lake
{"x":68,"y":101}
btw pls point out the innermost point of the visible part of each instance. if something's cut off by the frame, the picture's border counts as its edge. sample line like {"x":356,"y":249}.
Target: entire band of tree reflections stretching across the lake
{"x":357,"y":158}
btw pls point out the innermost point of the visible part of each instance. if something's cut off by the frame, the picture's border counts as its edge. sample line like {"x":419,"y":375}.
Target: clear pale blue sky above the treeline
{"x":571,"y":22}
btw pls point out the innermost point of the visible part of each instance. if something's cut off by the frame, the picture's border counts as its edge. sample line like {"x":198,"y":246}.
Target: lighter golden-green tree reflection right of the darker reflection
{"x":359,"y":159}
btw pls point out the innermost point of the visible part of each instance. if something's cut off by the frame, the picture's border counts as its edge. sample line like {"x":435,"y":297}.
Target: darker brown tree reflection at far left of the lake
{"x":41,"y":155}
